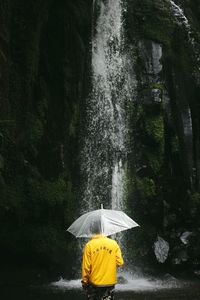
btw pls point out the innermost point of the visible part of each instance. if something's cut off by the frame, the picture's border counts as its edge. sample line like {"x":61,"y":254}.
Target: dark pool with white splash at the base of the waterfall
{"x":133,"y":288}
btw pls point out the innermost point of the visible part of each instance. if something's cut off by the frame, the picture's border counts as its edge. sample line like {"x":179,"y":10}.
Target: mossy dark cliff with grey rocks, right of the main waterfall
{"x":165,"y":126}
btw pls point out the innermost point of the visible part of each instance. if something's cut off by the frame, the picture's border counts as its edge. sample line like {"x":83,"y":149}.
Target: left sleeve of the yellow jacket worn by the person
{"x":86,"y":265}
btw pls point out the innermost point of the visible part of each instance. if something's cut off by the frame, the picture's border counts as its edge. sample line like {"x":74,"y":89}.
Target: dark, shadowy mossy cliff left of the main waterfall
{"x":43,"y":56}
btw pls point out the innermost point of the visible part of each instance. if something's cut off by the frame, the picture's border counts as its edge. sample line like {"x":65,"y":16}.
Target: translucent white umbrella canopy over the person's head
{"x":104,"y":221}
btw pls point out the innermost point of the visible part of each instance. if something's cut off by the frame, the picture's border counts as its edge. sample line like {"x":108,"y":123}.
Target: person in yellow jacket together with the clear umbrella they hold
{"x":102,"y":255}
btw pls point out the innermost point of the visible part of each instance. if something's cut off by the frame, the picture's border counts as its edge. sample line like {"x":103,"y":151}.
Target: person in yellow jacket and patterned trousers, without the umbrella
{"x":101,"y":258}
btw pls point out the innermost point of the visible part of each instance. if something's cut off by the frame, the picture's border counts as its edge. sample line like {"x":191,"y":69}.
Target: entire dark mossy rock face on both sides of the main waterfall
{"x":44,"y":79}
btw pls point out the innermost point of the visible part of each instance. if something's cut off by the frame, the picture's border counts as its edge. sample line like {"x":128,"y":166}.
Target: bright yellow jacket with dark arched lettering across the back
{"x":101,"y":258}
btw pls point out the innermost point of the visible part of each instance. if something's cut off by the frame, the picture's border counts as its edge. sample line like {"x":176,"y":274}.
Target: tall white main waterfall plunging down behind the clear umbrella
{"x":105,"y":147}
